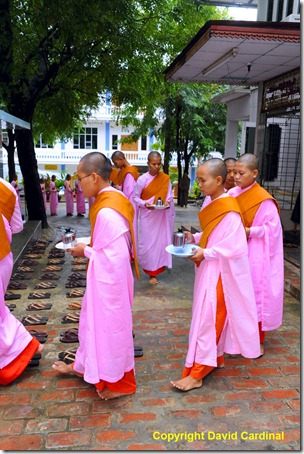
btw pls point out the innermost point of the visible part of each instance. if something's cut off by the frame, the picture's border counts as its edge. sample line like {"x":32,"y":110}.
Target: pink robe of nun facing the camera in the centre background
{"x":155,"y":228}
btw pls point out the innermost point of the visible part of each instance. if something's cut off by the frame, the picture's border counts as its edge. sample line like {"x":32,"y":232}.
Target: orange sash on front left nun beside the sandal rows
{"x":119,"y":203}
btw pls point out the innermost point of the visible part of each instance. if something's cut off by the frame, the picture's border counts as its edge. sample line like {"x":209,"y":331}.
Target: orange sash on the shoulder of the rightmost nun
{"x":250,"y":201}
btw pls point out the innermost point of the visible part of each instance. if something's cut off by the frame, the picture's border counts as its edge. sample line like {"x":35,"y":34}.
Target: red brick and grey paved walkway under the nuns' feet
{"x":248,"y":405}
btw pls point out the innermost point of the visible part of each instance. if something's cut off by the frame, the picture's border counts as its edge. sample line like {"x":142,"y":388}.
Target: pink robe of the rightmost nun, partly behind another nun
{"x":266,"y":258}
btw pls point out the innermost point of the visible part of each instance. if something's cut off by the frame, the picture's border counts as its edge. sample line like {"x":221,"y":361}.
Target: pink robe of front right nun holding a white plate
{"x":226,"y":254}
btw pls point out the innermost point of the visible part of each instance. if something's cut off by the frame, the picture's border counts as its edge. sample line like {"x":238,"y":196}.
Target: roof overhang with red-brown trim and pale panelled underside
{"x":238,"y":53}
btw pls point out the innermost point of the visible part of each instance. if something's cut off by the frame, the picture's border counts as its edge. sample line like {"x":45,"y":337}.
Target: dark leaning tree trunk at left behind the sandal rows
{"x":29,"y":169}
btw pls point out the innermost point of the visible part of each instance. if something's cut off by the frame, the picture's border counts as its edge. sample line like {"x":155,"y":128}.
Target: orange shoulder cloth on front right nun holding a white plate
{"x":210,"y":216}
